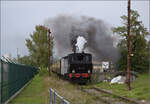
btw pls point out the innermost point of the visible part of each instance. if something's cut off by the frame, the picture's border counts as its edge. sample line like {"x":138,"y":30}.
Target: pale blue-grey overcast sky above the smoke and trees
{"x":18,"y":19}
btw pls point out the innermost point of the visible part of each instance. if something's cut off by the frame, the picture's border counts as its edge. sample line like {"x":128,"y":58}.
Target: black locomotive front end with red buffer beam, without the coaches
{"x":80,"y":66}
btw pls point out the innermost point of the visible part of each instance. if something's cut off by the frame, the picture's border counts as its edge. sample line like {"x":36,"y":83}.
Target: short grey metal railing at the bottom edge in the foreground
{"x":55,"y":98}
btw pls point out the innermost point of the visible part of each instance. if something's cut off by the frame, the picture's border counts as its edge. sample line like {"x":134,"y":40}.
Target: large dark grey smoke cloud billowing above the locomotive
{"x":67,"y":29}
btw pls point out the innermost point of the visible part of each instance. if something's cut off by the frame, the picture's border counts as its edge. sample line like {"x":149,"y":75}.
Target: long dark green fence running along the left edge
{"x":12,"y":78}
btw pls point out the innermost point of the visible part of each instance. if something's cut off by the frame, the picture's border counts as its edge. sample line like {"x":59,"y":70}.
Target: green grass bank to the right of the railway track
{"x":140,"y":88}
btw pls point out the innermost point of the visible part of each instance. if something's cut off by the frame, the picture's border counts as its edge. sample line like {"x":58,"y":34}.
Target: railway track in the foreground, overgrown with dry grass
{"x":106,"y":97}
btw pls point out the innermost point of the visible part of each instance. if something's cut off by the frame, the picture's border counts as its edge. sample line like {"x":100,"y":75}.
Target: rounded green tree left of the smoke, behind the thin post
{"x":38,"y":46}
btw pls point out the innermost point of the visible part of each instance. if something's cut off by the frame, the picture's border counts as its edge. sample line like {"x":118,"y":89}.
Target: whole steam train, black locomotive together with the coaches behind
{"x":75,"y":67}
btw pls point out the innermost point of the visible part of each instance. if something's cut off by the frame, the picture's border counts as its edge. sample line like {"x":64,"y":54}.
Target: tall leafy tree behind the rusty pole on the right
{"x":139,"y":44}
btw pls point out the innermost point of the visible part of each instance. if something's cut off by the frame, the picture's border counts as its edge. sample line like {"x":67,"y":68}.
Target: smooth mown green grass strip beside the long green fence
{"x":32,"y":94}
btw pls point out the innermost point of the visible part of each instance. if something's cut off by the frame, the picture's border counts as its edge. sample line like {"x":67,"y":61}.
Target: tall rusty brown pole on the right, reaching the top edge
{"x":129,"y":49}
